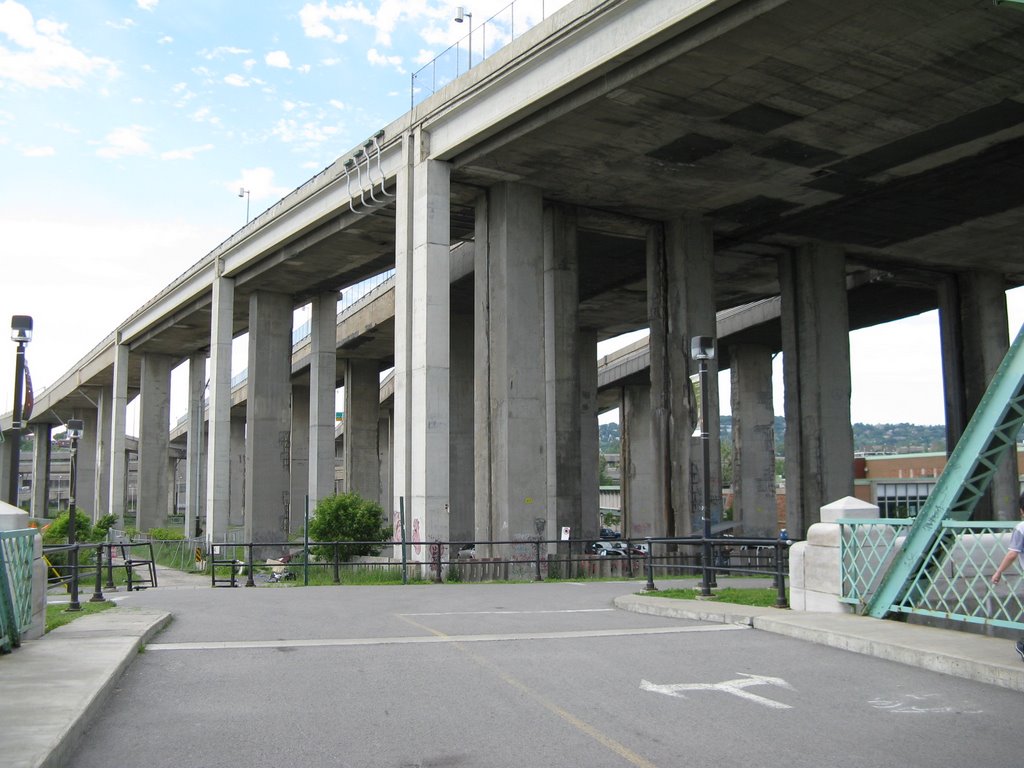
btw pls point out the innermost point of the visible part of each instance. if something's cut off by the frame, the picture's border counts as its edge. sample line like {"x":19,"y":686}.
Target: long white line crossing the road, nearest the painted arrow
{"x":421,"y":639}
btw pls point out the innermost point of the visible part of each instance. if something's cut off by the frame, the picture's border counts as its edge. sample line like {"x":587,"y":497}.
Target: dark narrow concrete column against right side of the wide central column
{"x":562,"y":321}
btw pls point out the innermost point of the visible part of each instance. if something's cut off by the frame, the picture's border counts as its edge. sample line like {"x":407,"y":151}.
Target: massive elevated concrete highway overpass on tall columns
{"x":626,"y":164}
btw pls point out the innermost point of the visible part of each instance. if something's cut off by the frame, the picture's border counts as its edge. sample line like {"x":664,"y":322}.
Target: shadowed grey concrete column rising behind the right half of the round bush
{"x":362,"y":416}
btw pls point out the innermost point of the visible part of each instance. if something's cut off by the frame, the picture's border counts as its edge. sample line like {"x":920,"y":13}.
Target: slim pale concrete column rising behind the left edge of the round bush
{"x":323,"y":386}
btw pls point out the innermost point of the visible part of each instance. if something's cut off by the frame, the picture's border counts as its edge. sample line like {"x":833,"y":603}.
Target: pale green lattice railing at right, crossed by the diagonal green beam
{"x":954,"y":581}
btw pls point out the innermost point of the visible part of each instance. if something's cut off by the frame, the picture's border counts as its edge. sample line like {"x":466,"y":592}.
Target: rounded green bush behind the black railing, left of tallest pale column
{"x":349,"y":518}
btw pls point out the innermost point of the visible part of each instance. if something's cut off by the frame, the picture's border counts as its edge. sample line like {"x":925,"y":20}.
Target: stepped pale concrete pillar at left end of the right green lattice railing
{"x":815,"y":564}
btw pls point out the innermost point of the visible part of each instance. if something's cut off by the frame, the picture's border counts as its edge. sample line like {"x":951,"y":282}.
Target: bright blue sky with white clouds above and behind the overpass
{"x":130,"y":127}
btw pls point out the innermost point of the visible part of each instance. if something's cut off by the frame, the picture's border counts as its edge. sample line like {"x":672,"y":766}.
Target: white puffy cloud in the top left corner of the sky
{"x":41,"y":57}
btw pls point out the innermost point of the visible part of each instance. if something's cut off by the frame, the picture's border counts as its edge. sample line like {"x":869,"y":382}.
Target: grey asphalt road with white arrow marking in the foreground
{"x":515,"y":676}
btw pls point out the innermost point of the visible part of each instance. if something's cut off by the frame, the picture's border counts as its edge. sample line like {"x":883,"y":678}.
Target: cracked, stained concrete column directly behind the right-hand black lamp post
{"x":691,"y":312}
